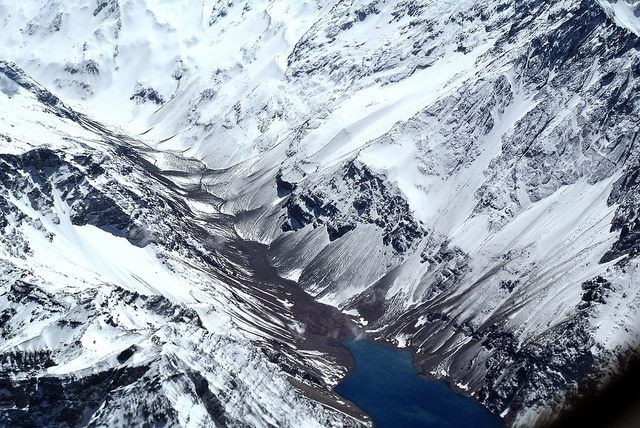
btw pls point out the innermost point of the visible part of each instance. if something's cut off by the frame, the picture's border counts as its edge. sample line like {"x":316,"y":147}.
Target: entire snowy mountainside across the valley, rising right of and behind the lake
{"x":459,"y":177}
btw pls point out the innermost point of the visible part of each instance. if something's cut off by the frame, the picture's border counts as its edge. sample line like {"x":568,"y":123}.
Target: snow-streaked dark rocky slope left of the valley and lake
{"x":121,"y":302}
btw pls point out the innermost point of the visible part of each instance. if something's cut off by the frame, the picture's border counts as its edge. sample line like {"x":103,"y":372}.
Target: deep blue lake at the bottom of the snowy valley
{"x":385,"y":385}
